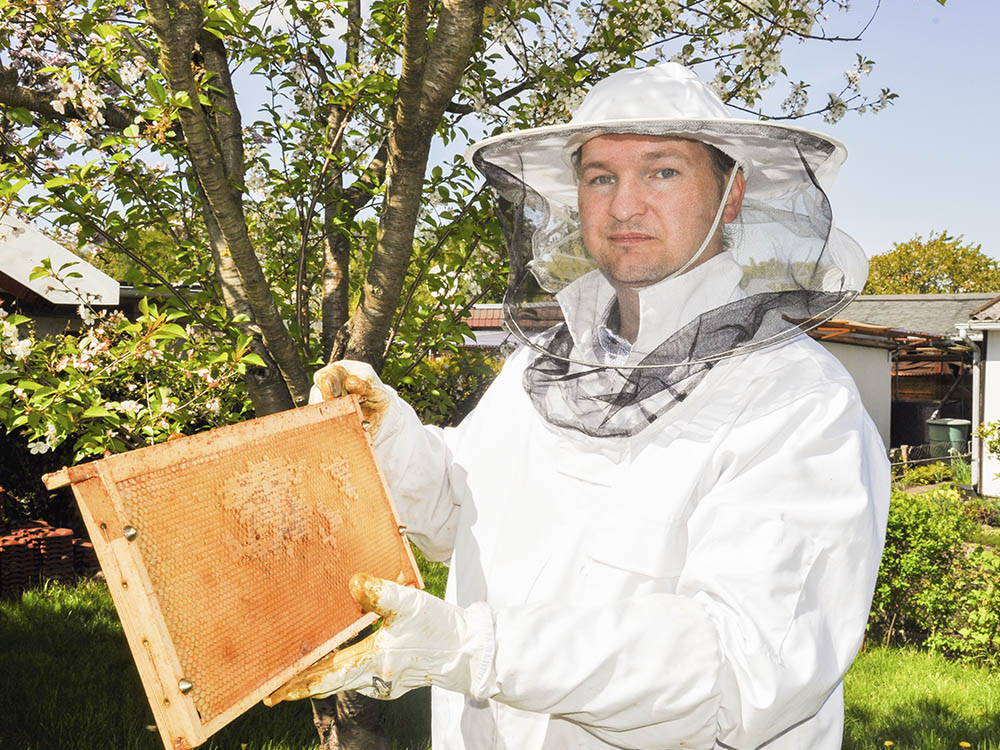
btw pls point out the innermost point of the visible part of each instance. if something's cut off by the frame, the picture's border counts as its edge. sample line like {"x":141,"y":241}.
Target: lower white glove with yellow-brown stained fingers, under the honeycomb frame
{"x":422,"y":641}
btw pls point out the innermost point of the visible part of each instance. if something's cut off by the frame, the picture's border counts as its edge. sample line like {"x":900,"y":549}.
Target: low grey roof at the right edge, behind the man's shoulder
{"x":928,"y":313}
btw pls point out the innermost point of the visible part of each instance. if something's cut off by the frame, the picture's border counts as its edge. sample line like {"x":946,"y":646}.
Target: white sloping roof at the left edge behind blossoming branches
{"x":22,"y":249}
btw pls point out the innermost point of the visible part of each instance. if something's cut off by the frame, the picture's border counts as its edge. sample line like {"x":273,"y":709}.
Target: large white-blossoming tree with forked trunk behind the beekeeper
{"x":281,"y":151}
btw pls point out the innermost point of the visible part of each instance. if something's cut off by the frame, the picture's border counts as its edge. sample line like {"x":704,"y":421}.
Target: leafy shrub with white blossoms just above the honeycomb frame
{"x":117,"y":384}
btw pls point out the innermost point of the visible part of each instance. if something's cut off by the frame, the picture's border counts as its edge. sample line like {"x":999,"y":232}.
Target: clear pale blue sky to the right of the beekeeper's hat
{"x":928,"y":162}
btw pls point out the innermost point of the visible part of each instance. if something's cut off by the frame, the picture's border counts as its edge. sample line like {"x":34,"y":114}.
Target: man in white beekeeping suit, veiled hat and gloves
{"x":665,"y":517}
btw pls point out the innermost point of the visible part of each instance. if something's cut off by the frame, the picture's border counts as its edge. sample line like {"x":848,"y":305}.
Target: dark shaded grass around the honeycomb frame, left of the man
{"x":67,"y":682}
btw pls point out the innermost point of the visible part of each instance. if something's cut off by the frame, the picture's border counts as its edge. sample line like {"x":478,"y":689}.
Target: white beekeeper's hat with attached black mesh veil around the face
{"x":793,"y":269}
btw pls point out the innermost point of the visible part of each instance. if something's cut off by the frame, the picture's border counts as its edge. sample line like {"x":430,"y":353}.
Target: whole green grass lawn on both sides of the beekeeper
{"x":67,"y":682}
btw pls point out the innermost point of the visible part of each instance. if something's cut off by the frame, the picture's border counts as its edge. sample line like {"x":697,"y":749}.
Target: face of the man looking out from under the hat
{"x":647,"y":203}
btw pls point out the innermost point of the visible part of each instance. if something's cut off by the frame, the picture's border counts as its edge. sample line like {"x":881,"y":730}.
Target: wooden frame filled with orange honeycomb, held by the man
{"x":228,"y":554}
